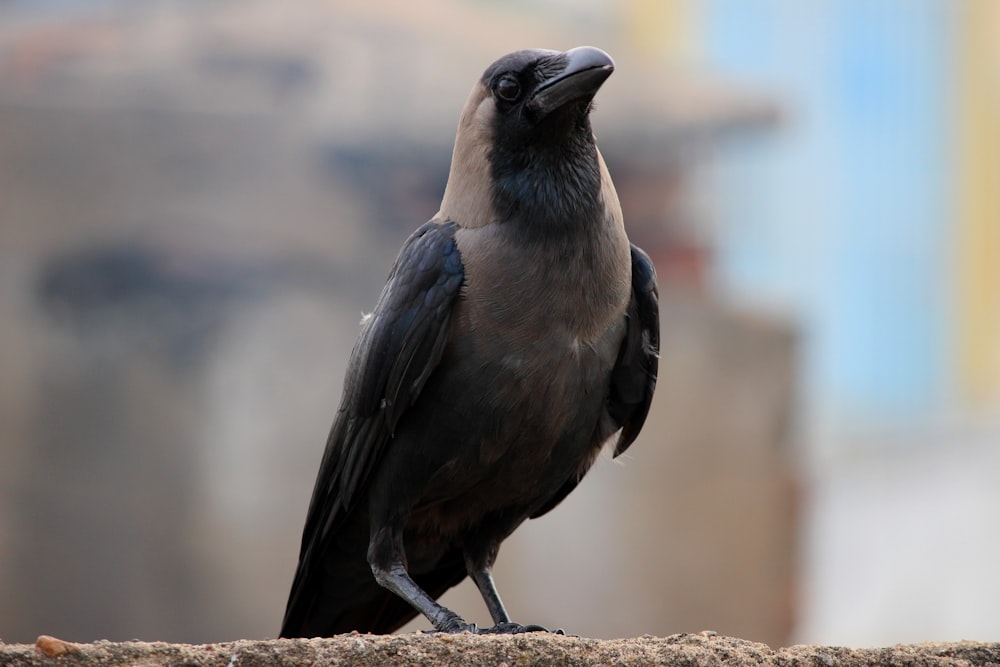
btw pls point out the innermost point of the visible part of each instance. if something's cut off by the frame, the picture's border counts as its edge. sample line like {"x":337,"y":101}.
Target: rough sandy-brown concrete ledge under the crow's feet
{"x":689,"y":650}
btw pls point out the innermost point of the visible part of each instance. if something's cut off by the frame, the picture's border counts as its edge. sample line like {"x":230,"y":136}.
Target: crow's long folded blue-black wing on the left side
{"x":400,"y":345}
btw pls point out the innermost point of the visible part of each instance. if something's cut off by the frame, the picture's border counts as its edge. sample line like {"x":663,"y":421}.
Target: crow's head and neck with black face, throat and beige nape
{"x":524,"y":137}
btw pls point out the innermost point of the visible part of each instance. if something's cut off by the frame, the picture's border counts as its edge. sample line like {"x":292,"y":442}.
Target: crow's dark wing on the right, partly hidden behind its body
{"x":633,"y":378}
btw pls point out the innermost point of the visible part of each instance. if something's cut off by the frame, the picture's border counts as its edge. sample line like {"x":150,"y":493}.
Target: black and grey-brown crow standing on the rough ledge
{"x":517,"y":334}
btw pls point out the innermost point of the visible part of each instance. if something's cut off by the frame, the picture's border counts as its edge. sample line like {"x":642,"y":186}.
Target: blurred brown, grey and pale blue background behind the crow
{"x":198,"y":199}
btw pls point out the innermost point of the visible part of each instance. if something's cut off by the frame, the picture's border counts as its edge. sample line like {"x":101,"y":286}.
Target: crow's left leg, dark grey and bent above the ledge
{"x":387,"y":560}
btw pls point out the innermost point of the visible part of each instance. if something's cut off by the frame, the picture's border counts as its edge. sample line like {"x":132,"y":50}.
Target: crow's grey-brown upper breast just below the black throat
{"x":543,"y":319}
